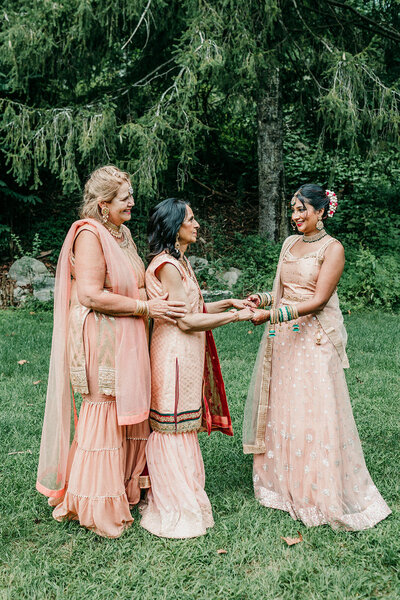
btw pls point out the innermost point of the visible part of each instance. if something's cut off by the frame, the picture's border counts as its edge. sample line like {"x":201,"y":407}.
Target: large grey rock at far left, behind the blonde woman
{"x":31,"y":278}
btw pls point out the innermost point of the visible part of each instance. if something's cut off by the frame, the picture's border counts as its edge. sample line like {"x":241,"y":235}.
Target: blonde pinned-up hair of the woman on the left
{"x":103,"y":184}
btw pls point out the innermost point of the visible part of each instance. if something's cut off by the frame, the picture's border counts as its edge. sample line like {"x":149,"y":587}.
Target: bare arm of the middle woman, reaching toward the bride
{"x":172,"y":284}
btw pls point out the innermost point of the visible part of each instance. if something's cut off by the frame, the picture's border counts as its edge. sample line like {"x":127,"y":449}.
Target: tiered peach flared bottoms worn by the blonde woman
{"x":105,"y":460}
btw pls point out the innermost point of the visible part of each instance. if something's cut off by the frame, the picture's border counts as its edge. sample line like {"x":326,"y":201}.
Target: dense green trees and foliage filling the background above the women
{"x":171,"y":91}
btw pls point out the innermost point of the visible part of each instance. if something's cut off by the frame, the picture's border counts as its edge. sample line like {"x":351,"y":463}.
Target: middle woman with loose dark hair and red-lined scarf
{"x":187,"y":389}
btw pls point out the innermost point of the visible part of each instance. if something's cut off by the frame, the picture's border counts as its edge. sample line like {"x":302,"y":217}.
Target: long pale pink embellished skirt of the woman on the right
{"x":313,"y":466}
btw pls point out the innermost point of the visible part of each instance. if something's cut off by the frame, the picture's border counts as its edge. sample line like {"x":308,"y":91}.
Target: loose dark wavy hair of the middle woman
{"x":164,"y":223}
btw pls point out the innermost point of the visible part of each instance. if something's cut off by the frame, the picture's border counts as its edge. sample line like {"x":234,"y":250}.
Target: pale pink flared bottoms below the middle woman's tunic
{"x":177,"y":504}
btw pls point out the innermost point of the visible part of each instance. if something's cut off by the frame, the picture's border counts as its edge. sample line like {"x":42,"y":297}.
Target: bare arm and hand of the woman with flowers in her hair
{"x":328,"y":278}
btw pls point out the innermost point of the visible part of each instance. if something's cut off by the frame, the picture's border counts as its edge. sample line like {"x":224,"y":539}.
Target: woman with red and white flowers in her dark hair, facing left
{"x":298,"y":418}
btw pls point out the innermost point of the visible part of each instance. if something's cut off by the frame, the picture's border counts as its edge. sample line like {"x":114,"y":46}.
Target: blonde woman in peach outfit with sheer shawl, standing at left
{"x":100,"y":350}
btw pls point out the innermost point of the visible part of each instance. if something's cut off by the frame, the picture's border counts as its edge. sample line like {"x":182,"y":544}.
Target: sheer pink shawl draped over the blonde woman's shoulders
{"x":132,"y":364}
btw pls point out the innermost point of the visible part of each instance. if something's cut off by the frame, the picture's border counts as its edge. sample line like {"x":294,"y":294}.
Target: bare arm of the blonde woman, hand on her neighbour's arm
{"x":90,"y":272}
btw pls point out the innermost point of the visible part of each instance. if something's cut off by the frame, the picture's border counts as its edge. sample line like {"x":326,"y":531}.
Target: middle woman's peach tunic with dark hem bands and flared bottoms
{"x":177,"y":504}
